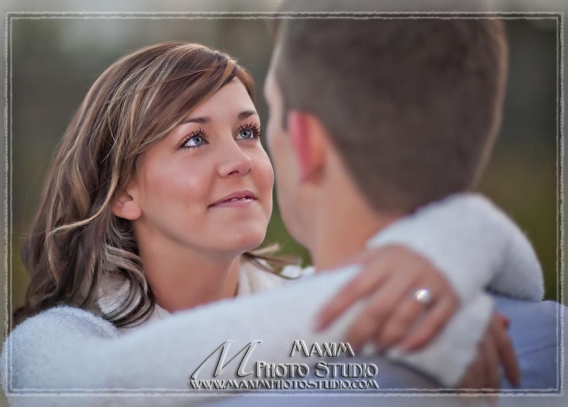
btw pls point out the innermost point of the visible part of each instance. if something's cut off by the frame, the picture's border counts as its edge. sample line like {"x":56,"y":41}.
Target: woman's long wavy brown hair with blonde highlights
{"x":76,"y":238}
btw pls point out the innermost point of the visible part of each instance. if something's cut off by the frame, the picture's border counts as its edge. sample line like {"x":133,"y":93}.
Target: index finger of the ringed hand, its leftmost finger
{"x":358,"y":288}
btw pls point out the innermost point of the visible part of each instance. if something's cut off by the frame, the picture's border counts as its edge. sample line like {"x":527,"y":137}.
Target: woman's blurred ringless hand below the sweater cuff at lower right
{"x":494,"y":350}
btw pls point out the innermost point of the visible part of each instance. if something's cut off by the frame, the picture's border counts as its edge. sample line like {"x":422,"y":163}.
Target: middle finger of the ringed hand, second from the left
{"x":379,"y":306}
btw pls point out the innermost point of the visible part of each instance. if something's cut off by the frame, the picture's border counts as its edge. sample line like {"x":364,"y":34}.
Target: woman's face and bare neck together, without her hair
{"x":205,"y":188}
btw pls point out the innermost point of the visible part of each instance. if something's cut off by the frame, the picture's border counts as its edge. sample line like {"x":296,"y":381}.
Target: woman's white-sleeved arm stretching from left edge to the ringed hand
{"x":71,"y":349}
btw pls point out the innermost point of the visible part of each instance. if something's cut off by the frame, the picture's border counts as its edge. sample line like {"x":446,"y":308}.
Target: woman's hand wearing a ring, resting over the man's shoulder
{"x":390,"y":277}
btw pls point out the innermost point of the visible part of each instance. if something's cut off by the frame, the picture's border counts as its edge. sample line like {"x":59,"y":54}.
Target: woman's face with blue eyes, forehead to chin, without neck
{"x":207,"y":185}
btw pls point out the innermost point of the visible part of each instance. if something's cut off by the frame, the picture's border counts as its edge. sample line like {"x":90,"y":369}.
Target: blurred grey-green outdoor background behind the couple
{"x":56,"y":60}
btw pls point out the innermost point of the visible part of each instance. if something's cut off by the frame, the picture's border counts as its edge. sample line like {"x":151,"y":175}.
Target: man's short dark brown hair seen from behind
{"x":413,"y":105}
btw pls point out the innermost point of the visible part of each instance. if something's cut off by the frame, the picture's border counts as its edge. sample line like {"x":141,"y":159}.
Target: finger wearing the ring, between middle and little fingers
{"x":399,"y":322}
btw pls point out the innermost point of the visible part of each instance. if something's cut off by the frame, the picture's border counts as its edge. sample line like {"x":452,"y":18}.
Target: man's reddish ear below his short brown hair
{"x":305,"y":132}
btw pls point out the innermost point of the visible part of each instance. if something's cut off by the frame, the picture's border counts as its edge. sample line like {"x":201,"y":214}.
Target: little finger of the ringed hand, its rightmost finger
{"x":430,"y":326}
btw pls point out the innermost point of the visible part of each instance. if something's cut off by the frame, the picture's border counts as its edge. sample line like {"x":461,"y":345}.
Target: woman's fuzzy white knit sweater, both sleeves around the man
{"x":72,"y":351}
